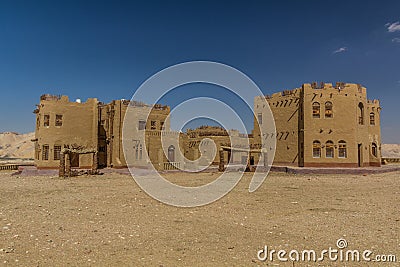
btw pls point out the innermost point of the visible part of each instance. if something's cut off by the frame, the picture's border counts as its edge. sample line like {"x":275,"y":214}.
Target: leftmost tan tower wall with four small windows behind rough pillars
{"x":77,"y":126}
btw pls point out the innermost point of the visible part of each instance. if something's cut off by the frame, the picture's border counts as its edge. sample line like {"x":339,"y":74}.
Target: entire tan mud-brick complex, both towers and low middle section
{"x":316,"y":126}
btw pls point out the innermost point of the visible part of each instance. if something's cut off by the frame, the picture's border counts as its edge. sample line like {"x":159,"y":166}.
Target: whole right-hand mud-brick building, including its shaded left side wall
{"x":325,"y":126}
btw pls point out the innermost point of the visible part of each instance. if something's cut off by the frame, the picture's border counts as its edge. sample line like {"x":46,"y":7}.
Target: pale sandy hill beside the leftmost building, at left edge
{"x":15,"y":145}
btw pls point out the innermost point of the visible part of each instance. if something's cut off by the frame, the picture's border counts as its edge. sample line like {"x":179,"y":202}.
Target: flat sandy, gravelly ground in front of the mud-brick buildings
{"x":108,"y":221}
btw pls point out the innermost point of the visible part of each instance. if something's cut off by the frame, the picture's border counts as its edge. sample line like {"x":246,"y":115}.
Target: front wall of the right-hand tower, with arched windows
{"x":349,"y":124}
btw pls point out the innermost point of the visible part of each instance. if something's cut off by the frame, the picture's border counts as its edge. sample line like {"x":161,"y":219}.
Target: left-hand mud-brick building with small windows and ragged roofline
{"x":91,"y":126}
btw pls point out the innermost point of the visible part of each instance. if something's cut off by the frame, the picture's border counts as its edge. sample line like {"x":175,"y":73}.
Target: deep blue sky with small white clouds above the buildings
{"x":106,"y":49}
